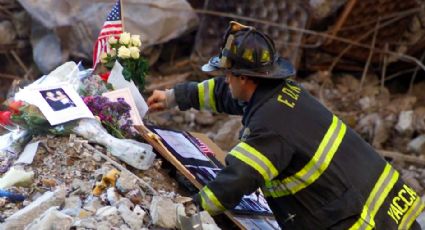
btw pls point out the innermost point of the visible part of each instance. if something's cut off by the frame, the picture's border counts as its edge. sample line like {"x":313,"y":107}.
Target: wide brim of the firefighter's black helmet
{"x":281,"y":69}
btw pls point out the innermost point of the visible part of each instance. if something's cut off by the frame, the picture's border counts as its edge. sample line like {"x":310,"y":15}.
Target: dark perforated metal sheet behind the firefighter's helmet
{"x":284,"y":12}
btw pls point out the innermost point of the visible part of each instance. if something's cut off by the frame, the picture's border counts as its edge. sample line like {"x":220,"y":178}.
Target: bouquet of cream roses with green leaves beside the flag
{"x":126,"y":50}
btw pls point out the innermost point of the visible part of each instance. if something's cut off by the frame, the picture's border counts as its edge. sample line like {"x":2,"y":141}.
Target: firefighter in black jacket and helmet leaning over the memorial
{"x":314,"y":170}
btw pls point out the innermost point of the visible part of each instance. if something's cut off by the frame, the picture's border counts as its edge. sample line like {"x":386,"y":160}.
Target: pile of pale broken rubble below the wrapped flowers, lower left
{"x":72,"y":186}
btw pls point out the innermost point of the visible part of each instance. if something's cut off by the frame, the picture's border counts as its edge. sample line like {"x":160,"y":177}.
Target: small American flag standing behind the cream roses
{"x":112,"y":26}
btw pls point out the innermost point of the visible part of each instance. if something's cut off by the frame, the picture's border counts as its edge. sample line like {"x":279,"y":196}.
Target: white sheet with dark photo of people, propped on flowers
{"x":59,"y":103}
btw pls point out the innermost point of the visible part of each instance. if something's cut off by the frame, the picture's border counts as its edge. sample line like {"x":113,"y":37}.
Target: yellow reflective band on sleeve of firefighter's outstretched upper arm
{"x":206,"y":95}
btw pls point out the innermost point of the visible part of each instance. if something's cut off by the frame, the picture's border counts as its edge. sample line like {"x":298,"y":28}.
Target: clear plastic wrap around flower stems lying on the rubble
{"x":134,"y":153}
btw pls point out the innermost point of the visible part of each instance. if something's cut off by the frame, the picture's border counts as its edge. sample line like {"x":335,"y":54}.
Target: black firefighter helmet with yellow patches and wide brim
{"x":246,"y":51}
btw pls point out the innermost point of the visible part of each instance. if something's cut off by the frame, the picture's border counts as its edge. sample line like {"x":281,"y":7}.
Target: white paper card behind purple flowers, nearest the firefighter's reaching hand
{"x":125,"y":94}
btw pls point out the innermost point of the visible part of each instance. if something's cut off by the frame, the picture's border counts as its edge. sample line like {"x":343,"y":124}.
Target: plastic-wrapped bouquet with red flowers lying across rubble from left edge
{"x":29,"y":117}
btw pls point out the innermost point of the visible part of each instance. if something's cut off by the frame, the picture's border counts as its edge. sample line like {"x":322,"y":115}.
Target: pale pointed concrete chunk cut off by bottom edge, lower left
{"x":51,"y":219}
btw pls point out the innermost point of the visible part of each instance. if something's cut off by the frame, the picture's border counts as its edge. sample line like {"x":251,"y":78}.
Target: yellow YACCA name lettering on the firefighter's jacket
{"x":401,"y":203}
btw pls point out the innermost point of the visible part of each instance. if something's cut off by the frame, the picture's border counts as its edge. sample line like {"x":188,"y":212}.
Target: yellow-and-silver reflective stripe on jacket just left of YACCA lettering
{"x":380,"y":191}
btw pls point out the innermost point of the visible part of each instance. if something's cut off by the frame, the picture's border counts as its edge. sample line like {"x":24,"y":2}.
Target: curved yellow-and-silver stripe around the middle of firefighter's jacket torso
{"x":315,"y":167}
